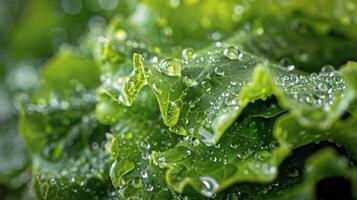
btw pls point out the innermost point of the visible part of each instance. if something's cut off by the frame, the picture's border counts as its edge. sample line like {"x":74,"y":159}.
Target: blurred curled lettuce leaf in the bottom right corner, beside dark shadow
{"x":300,"y":178}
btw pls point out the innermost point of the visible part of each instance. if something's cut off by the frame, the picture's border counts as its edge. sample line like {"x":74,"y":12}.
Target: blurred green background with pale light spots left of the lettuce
{"x":31,"y":32}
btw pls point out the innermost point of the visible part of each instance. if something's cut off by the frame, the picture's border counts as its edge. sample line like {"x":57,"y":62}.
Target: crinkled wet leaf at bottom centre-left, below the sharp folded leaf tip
{"x":136,"y":131}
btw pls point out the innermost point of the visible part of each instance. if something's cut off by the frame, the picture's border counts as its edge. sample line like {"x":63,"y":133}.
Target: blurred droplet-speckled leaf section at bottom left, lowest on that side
{"x":83,"y":176}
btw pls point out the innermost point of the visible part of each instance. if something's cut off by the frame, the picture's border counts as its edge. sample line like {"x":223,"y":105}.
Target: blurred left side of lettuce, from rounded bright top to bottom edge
{"x":59,"y":126}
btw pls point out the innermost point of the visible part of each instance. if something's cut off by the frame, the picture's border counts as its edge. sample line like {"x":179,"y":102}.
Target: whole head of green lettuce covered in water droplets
{"x":135,"y":112}
